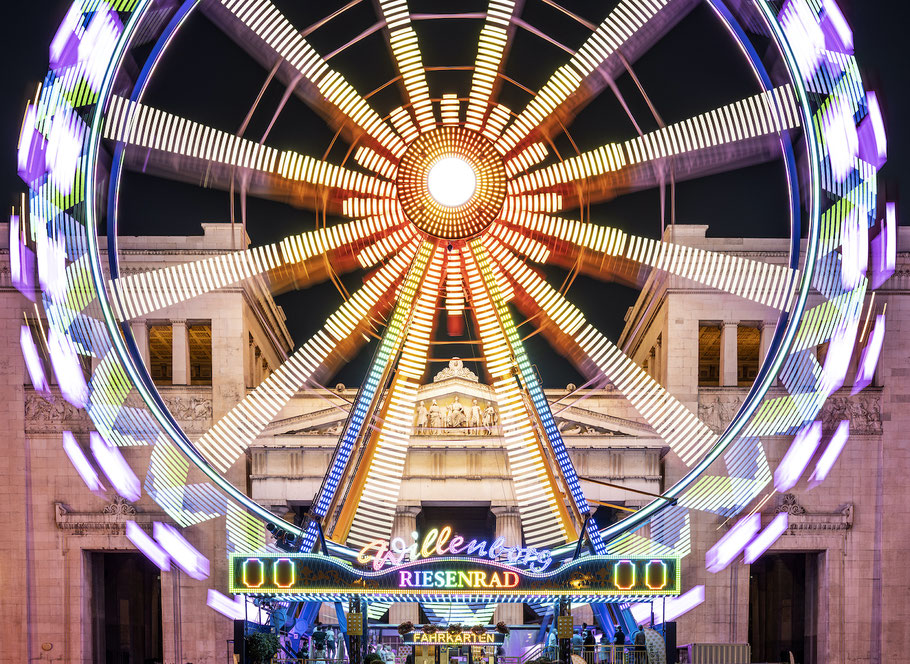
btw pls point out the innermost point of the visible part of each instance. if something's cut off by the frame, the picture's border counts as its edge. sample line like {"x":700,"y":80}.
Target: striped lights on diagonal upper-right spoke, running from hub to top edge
{"x":624,"y":21}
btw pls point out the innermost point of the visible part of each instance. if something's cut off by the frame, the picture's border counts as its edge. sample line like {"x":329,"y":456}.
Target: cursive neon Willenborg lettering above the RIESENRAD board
{"x":441,"y":543}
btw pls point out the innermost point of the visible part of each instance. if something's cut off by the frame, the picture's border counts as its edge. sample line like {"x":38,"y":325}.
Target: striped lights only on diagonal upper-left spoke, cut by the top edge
{"x":268,"y":23}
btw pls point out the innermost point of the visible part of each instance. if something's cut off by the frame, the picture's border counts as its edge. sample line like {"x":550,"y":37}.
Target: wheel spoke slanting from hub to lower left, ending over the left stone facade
{"x":342,"y":333}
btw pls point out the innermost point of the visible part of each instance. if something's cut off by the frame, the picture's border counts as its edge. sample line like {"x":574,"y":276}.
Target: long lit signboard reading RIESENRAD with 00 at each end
{"x":589,"y":579}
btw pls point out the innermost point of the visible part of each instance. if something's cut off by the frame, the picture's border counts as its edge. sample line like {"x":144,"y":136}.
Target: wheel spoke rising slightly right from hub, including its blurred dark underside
{"x":736,"y":135}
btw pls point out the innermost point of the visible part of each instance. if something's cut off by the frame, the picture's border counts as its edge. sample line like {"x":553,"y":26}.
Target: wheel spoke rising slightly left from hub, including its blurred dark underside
{"x":174,"y":147}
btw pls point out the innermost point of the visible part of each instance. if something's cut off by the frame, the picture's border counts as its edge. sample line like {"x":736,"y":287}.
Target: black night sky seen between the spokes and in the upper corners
{"x":206,"y":77}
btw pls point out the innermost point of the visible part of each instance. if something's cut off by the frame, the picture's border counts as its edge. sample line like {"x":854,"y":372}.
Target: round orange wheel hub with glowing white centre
{"x":451,"y":183}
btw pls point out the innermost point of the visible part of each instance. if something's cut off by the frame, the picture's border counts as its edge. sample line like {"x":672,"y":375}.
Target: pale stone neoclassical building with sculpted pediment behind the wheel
{"x":837,"y":580}
